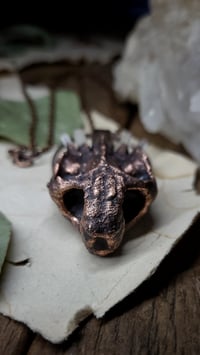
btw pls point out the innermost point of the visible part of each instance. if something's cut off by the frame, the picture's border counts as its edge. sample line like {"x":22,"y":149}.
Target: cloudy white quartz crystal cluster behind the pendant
{"x":160,"y":69}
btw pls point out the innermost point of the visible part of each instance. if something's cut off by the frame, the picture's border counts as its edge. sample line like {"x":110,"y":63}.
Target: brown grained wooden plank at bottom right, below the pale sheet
{"x":164,"y":324}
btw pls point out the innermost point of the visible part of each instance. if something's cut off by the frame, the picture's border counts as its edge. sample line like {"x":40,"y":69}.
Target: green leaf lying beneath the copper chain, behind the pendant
{"x":15,"y":118}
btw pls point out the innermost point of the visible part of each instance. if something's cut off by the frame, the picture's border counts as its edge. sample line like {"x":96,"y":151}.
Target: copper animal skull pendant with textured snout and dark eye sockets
{"x":102,"y":190}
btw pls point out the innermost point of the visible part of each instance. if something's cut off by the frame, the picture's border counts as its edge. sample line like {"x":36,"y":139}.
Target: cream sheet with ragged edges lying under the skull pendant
{"x":50,"y":281}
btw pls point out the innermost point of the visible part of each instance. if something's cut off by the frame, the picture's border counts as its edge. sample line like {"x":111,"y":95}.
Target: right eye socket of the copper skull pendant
{"x":134,"y":202}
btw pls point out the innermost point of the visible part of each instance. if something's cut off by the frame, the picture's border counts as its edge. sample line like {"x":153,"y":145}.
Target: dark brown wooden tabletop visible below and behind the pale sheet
{"x":163,"y":315}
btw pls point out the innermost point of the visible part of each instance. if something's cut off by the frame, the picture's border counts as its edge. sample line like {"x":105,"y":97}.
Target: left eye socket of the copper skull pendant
{"x":74,"y":202}
